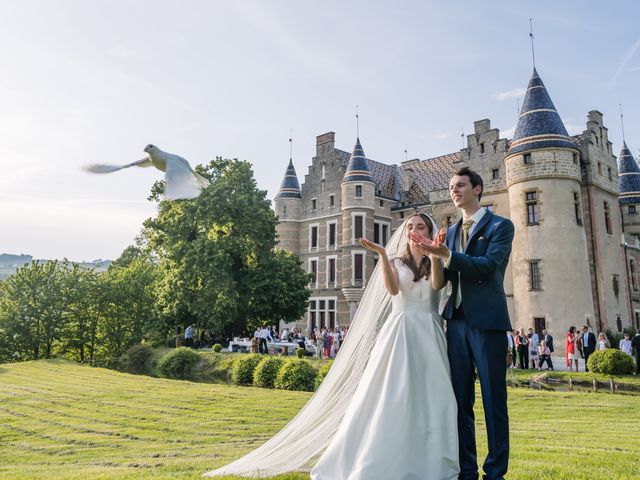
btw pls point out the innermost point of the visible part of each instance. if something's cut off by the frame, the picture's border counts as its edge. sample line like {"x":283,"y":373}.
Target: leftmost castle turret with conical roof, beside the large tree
{"x":288,"y":205}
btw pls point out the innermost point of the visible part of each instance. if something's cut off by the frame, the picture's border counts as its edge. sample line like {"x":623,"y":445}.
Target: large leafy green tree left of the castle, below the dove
{"x":220,"y":269}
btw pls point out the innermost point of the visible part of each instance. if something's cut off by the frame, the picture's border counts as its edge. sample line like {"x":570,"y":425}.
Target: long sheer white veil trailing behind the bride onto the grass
{"x":298,"y":446}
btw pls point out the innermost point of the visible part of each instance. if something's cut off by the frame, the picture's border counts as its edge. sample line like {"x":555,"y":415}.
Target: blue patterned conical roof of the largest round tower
{"x":539,"y":125}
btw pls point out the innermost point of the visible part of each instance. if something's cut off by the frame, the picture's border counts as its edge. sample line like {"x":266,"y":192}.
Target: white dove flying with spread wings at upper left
{"x":180,"y":181}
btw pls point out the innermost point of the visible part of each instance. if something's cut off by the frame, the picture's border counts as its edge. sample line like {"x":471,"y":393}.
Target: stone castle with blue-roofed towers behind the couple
{"x":577,"y":228}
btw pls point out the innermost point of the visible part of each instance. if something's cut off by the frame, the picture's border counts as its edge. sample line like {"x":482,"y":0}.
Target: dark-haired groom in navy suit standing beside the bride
{"x":475,"y":257}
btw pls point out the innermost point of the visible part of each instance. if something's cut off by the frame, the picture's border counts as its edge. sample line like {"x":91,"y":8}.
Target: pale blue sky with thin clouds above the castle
{"x":94,"y":82}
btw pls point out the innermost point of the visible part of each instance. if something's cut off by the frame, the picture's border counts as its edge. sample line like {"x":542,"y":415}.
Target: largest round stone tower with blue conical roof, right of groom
{"x":543,"y":179}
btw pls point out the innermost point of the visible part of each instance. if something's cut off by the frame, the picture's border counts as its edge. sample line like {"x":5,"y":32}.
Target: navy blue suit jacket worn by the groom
{"x":481,"y":272}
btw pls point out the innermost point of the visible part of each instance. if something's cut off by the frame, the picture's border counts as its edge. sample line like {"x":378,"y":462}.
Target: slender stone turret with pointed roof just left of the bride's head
{"x":358,"y":196}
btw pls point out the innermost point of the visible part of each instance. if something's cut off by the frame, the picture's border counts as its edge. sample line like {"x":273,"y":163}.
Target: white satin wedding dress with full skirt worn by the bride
{"x":401,"y":423}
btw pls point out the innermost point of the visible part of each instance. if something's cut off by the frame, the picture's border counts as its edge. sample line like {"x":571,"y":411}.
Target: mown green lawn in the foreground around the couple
{"x":66,"y":421}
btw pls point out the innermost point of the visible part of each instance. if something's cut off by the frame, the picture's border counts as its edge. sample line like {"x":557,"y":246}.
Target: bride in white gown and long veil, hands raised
{"x":391,"y":380}
